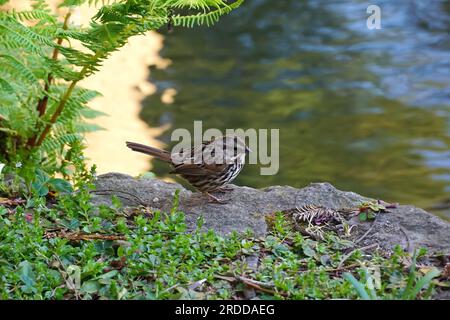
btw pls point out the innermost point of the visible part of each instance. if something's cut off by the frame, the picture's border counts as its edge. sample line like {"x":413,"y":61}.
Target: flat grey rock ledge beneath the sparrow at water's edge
{"x":406,"y":225}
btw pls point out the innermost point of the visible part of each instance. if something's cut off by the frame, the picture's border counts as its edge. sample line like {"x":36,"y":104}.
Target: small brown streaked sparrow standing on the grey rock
{"x":208,"y":167}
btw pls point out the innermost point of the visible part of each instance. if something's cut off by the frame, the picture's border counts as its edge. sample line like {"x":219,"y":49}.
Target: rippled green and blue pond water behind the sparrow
{"x":367,"y":110}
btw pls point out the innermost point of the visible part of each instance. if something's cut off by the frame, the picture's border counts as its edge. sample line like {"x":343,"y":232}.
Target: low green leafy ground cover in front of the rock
{"x":73,"y":250}
